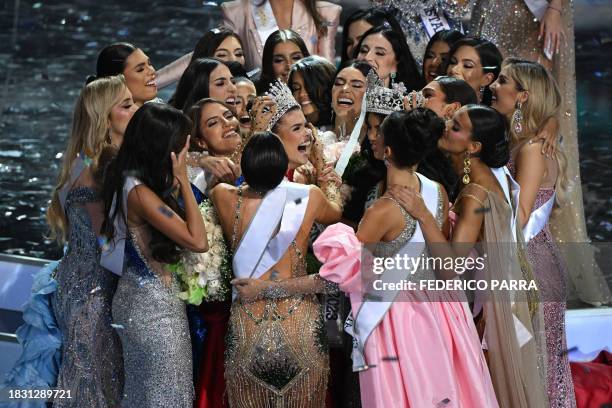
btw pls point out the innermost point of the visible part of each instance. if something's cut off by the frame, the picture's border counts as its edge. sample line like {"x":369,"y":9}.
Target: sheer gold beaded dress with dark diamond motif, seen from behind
{"x":276,"y":349}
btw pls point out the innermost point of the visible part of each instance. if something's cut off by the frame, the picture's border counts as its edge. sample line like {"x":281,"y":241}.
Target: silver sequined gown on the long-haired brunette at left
{"x":153,"y":329}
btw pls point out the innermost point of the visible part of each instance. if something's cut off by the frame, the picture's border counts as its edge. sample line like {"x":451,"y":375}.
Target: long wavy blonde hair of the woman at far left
{"x":89,"y":135}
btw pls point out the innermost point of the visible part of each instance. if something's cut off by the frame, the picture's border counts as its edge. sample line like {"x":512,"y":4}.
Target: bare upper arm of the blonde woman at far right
{"x":530,"y":171}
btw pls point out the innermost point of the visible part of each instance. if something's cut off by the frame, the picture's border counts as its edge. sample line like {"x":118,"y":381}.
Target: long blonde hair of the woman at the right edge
{"x":543,"y":103}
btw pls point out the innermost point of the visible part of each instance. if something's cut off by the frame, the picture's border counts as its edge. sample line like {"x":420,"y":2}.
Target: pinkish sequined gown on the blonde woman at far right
{"x":551,"y":277}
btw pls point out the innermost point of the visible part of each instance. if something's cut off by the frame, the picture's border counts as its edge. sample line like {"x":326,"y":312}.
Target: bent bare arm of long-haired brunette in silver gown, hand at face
{"x":189,"y":234}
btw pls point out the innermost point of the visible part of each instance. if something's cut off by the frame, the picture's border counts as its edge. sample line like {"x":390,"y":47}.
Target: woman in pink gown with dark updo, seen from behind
{"x":426,"y":328}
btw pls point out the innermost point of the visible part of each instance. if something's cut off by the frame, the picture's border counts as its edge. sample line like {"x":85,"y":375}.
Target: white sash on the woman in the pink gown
{"x":371,"y":313}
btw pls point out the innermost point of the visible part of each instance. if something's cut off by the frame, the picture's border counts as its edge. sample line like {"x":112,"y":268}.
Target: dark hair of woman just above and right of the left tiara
{"x":318,"y":74}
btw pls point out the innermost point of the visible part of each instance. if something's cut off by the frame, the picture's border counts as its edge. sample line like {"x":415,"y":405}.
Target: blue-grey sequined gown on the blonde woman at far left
{"x":91,"y":364}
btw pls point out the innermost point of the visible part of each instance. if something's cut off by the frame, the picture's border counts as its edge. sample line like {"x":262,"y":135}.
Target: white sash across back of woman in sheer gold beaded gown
{"x":259,"y":249}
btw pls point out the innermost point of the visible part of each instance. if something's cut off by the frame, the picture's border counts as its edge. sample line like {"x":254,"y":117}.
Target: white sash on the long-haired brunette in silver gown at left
{"x":113,"y":253}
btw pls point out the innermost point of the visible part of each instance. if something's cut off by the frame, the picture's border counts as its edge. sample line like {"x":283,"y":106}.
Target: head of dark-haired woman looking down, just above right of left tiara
{"x":311,"y":80}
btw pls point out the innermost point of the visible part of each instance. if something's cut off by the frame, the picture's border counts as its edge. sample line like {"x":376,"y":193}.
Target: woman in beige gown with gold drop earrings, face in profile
{"x":478,"y":144}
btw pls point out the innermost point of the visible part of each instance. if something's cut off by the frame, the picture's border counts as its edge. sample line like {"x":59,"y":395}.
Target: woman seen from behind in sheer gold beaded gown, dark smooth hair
{"x":280,"y":284}
